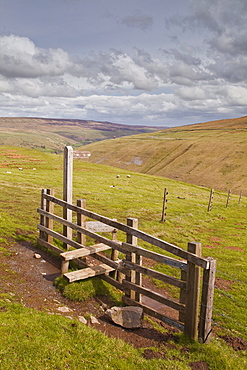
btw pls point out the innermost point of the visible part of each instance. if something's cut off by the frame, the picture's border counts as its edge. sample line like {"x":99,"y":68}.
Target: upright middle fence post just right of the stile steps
{"x":135,"y":277}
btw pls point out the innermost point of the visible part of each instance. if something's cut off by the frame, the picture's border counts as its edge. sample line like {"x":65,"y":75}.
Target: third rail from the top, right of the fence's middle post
{"x":155,"y":274}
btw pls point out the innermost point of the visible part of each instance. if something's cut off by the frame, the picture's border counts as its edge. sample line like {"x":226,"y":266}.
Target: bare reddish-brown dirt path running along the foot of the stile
{"x":32,"y":284}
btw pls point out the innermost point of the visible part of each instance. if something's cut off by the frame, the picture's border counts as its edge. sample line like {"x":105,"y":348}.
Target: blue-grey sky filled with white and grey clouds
{"x":146,"y":62}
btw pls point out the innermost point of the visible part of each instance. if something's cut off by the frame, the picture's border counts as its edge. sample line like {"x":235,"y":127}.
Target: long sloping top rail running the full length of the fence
{"x":138,"y":233}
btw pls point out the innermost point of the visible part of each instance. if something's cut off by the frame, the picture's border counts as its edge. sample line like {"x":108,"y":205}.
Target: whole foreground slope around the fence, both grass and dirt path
{"x":35,"y":330}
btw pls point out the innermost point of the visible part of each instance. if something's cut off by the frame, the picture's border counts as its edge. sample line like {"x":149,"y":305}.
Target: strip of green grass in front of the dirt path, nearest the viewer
{"x":29,"y":338}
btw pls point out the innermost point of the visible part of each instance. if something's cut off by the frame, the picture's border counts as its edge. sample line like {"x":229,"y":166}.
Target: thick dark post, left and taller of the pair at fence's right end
{"x":192,"y":293}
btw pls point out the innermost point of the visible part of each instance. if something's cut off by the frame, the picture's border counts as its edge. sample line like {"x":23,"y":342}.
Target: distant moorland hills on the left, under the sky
{"x":54,"y":134}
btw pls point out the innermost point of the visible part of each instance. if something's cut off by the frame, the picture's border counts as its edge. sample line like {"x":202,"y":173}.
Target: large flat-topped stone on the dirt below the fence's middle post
{"x":128,"y":317}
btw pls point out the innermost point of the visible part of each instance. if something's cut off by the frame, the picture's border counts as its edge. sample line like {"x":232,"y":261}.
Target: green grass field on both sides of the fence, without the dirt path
{"x":54,"y":342}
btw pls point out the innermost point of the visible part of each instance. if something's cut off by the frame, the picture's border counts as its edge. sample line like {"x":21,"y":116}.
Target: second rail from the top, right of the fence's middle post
{"x":155,"y":256}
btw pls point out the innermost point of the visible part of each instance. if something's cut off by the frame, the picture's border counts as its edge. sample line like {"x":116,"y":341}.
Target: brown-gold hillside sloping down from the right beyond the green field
{"x":212,"y":154}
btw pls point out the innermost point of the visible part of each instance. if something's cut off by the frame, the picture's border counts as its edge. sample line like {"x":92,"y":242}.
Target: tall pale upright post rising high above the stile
{"x":67,"y":189}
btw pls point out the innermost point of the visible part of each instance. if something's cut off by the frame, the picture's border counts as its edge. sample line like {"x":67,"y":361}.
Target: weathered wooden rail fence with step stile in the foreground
{"x":195,"y":299}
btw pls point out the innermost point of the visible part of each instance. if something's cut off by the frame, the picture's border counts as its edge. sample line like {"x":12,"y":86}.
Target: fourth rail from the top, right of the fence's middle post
{"x":155,"y":296}
